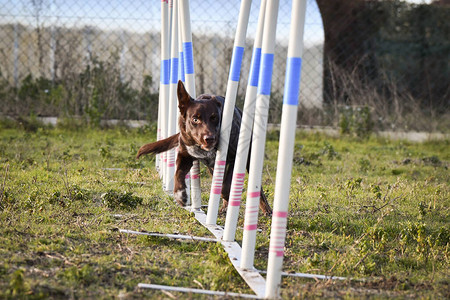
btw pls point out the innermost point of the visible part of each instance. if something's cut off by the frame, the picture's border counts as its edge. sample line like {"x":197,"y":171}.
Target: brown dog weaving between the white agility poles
{"x":199,"y":124}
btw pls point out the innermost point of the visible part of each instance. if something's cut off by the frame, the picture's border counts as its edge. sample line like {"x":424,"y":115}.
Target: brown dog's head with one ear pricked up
{"x":200,"y":118}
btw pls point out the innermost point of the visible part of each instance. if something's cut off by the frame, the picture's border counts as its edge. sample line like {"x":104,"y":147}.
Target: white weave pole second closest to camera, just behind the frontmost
{"x":259,"y":135}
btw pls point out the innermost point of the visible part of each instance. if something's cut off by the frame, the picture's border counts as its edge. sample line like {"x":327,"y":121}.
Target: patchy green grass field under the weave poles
{"x":374,"y":210}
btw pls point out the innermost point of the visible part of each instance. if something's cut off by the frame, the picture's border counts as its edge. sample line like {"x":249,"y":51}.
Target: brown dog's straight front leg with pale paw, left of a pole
{"x":184,"y":164}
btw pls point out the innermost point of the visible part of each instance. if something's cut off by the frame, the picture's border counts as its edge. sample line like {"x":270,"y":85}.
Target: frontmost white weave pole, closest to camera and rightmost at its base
{"x":286,"y":149}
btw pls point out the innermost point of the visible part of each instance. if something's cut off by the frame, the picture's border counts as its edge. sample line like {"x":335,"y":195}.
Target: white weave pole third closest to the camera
{"x":245,"y":133}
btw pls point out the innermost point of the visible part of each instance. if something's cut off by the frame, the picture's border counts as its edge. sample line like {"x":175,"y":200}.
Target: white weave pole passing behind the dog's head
{"x":186,"y":36}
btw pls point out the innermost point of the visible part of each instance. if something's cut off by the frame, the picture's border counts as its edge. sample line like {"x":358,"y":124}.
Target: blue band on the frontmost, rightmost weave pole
{"x":292,"y":84}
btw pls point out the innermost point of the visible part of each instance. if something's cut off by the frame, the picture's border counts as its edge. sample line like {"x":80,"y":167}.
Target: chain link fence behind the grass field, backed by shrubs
{"x":375,"y":64}
